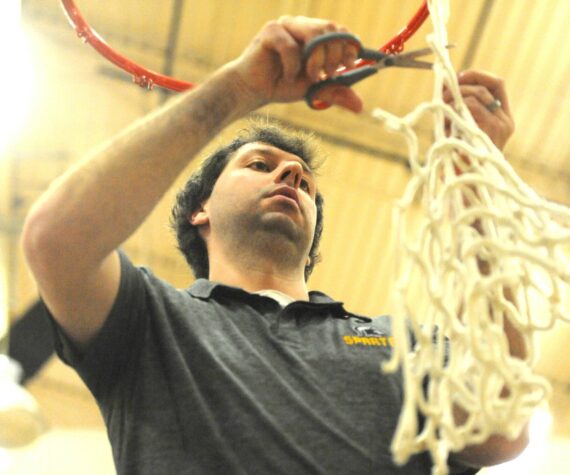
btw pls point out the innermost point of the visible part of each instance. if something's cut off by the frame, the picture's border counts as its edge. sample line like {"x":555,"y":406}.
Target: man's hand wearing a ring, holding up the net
{"x":479,"y":90}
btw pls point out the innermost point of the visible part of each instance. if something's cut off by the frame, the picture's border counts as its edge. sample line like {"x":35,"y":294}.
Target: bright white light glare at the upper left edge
{"x":17,"y":73}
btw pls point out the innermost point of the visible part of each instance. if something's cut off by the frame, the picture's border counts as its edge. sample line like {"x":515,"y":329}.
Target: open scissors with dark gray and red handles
{"x":375,"y":60}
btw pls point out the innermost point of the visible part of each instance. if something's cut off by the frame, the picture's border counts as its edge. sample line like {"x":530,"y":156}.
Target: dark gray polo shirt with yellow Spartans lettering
{"x":213,"y":380}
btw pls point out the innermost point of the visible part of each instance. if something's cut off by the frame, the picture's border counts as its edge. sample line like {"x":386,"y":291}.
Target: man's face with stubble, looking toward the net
{"x":264,"y":192}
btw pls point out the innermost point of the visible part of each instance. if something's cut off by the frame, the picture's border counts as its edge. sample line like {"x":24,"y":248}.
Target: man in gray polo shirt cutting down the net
{"x":245,"y":372}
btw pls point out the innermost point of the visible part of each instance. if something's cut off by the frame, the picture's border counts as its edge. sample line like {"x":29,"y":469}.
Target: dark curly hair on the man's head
{"x":199,"y":188}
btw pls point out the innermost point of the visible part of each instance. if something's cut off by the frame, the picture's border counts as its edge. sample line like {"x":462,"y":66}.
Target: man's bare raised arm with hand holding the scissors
{"x":72,"y":232}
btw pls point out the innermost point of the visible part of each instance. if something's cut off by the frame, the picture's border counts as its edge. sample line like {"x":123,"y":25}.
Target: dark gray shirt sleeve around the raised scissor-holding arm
{"x":116,"y":345}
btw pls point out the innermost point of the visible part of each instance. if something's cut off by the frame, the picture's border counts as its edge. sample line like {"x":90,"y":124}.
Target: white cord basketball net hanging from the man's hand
{"x":473,"y":208}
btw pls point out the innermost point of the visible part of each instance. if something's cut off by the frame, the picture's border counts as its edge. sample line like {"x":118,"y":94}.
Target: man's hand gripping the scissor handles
{"x":271,"y":67}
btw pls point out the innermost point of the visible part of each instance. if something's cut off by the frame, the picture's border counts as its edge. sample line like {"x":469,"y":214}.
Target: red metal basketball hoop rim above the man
{"x":148,"y":79}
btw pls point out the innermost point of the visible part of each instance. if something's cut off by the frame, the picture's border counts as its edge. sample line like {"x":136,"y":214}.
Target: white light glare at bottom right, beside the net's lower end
{"x":532,"y":458}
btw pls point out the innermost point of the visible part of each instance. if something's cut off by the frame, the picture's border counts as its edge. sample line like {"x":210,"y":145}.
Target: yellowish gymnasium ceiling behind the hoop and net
{"x":524,"y":41}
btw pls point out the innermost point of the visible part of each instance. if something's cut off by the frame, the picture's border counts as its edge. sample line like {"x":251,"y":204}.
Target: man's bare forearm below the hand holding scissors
{"x":93,"y":208}
